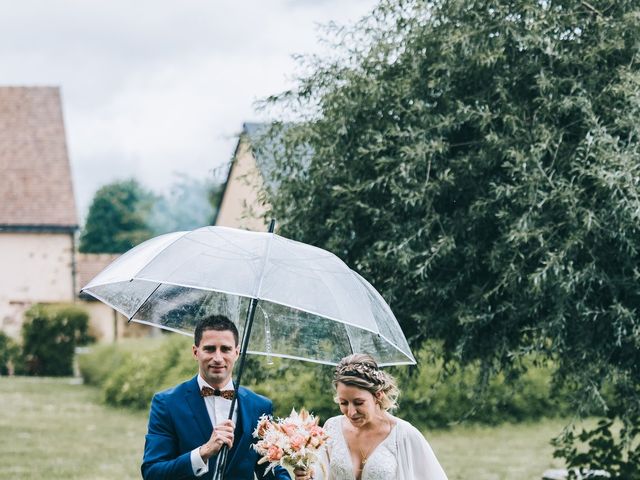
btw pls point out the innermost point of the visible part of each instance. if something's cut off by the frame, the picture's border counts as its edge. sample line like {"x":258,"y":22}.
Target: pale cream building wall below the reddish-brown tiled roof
{"x":36,"y":267}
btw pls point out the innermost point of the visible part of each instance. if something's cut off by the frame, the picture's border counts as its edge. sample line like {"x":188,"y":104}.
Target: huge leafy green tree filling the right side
{"x":479,"y":162}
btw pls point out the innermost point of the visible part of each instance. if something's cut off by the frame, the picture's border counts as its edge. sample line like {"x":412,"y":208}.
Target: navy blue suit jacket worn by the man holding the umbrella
{"x":179,"y":422}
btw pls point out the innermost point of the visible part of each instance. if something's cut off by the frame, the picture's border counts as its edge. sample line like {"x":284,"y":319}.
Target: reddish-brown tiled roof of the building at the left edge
{"x":35,"y":176}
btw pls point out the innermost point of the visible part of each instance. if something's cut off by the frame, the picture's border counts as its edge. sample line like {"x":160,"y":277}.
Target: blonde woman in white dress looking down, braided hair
{"x":366,"y":441}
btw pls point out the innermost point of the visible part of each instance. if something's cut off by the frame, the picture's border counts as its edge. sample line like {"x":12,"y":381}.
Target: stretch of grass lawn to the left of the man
{"x":55,"y":429}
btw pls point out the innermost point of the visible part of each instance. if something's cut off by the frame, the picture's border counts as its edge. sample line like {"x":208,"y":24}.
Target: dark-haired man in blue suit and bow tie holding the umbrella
{"x":188,"y":424}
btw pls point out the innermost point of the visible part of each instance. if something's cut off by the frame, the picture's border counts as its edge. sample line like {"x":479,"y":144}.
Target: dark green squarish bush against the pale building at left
{"x":50,"y":334}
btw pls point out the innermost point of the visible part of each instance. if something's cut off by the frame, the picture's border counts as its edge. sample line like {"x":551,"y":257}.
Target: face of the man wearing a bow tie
{"x":216,"y":356}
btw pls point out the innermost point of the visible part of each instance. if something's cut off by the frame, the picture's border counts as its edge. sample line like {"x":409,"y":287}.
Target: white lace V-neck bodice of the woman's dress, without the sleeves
{"x":381,"y":464}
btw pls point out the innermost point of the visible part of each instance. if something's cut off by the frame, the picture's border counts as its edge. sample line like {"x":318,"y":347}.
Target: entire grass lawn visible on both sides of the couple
{"x":56,"y":429}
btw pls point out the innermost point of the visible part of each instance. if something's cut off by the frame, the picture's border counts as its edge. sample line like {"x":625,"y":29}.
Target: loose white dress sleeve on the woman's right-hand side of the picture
{"x":416,"y":460}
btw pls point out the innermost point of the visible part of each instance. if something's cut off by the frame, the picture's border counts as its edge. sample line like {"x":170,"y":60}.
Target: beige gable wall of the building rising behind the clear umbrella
{"x":240,"y":207}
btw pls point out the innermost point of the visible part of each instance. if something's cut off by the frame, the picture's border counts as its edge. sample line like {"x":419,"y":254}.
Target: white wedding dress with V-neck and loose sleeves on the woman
{"x":404,"y":455}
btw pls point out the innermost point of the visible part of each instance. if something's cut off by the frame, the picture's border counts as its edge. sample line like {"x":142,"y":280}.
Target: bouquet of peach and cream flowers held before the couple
{"x":291,"y":442}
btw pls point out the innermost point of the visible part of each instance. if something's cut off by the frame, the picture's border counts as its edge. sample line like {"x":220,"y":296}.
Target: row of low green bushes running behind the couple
{"x":130,"y":373}
